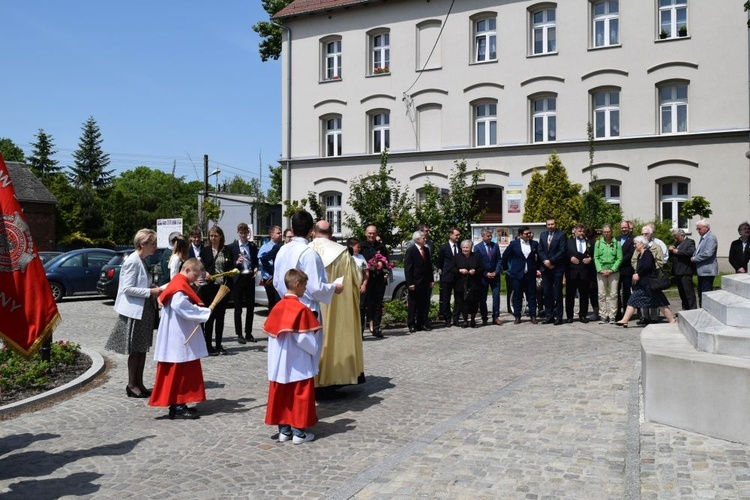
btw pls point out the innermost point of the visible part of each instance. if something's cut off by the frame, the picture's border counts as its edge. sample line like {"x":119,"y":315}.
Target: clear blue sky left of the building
{"x":166,"y":81}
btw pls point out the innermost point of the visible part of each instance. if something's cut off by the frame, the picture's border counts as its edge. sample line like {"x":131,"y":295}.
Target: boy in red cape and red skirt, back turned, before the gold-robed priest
{"x":293,"y":340}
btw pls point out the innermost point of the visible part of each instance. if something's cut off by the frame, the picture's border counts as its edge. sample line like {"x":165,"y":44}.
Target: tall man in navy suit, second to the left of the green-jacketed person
{"x":552,"y":255}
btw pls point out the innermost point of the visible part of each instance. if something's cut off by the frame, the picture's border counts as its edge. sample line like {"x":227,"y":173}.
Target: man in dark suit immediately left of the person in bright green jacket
{"x":580,"y":271}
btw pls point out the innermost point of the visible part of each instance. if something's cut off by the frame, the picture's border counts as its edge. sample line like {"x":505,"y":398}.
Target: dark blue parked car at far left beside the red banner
{"x":76,"y":271}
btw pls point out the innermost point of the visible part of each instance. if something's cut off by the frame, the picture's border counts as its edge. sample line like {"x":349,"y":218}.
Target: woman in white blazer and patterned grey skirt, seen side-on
{"x":134,"y":331}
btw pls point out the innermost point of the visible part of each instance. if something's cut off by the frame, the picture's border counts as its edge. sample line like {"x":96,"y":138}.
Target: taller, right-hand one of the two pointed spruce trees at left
{"x":90,"y":161}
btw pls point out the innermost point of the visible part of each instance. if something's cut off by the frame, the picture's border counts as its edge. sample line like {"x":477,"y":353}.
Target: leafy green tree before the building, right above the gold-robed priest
{"x":379,"y":200}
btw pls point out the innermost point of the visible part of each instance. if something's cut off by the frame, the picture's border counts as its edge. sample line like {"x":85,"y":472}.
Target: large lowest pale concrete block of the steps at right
{"x":693,"y":390}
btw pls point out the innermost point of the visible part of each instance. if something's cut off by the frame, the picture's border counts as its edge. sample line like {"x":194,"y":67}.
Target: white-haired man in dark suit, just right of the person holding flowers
{"x":418,"y":273}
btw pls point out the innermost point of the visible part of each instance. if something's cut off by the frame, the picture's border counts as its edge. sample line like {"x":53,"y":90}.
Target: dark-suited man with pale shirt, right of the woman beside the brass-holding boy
{"x":244,"y":254}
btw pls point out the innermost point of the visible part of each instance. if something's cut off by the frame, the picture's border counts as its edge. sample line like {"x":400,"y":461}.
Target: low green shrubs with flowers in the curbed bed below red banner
{"x":18,"y":373}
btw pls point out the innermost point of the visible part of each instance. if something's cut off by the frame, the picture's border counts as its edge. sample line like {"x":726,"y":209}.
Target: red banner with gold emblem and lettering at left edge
{"x":28,"y":313}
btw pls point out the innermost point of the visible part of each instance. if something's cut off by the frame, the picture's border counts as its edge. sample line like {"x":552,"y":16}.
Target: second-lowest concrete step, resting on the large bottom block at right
{"x":708,"y":334}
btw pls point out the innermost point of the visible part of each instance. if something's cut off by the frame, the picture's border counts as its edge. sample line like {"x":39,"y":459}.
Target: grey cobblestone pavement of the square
{"x":527,"y":412}
